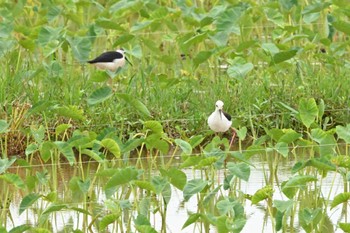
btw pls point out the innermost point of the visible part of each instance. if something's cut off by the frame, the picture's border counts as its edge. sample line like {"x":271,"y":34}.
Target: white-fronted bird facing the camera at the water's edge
{"x":220,"y":121}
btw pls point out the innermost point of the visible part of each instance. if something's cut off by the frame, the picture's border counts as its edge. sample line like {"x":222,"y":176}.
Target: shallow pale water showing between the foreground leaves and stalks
{"x":177,"y":212}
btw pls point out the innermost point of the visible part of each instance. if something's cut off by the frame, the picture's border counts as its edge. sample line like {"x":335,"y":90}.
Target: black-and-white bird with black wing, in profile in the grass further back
{"x":110,"y":60}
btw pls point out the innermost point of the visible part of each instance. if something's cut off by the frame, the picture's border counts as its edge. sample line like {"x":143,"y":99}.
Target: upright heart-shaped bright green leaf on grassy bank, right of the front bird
{"x":308,"y":111}
